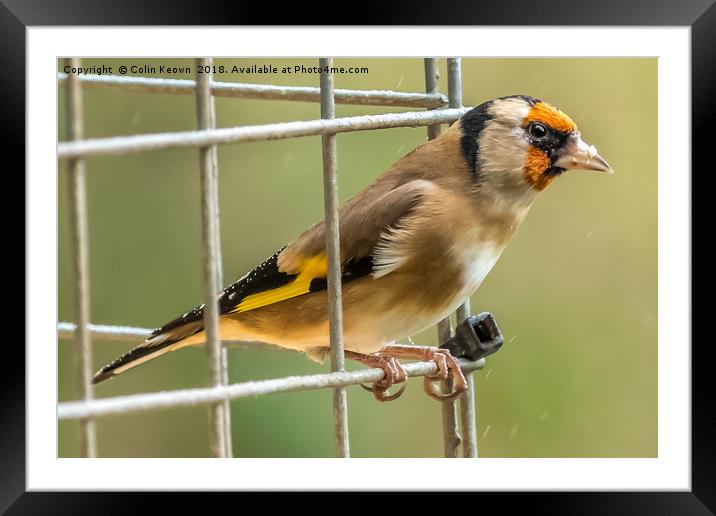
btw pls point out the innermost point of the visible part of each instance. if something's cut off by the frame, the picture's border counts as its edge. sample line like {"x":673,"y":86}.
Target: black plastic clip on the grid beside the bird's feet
{"x":475,"y":337}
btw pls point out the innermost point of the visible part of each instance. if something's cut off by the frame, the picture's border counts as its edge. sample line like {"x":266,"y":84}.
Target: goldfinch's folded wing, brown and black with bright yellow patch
{"x":302,"y":266}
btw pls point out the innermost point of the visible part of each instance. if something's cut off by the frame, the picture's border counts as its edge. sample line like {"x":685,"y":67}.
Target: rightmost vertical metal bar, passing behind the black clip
{"x":467,"y":401}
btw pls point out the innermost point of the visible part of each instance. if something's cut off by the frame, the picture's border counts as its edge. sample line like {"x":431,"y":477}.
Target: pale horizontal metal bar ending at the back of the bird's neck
{"x":253,"y":133}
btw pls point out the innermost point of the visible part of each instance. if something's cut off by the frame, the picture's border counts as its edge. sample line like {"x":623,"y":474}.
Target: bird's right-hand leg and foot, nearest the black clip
{"x":446,"y":363}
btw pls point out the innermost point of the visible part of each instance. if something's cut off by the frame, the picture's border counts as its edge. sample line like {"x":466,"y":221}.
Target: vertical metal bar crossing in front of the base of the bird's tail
{"x":218,"y":412}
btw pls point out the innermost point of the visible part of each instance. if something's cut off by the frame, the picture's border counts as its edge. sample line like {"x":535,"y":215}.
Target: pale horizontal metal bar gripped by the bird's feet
{"x":72,"y":410}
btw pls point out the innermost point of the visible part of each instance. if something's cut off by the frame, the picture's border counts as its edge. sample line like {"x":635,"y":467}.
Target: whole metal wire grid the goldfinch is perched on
{"x":205,"y":138}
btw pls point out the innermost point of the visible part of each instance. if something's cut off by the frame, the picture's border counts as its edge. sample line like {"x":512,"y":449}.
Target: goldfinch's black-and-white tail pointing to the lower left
{"x":154,"y":346}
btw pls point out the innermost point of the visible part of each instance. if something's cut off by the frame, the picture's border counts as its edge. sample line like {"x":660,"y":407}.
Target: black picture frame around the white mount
{"x":17,"y":15}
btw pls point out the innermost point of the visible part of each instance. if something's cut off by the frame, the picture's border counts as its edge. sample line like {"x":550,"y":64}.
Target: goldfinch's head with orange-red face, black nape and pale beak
{"x":517,"y":145}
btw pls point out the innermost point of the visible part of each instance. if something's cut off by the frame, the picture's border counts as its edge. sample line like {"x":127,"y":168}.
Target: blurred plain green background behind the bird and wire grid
{"x":575,"y":292}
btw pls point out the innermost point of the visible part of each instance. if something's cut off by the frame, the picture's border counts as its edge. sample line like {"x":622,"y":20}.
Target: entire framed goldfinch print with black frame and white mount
{"x":187,"y":164}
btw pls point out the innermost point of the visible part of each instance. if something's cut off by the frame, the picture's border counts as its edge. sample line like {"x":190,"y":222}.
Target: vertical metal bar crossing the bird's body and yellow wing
{"x":335,"y":302}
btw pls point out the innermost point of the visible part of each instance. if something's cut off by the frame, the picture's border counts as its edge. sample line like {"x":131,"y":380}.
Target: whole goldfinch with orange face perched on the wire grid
{"x":414,"y":244}
